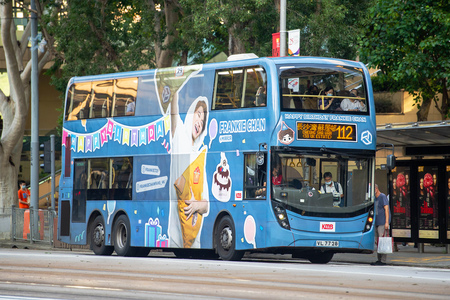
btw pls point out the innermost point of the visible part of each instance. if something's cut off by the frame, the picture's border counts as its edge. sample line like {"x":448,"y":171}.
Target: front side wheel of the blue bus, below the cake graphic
{"x":225,"y":240}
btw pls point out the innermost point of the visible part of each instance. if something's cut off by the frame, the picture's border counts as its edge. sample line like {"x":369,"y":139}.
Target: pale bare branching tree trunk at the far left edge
{"x":14,"y":108}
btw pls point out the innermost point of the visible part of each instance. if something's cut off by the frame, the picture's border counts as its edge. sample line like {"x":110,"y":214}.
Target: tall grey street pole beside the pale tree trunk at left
{"x":34,"y":181}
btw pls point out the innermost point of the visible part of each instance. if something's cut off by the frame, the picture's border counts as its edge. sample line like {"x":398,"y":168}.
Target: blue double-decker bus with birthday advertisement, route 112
{"x":221,"y":159}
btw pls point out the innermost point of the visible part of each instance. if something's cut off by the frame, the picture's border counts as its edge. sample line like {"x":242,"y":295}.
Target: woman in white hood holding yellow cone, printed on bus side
{"x":188,"y":189}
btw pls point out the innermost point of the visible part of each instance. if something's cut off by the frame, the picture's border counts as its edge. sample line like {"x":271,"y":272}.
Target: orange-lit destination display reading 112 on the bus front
{"x":326,"y":131}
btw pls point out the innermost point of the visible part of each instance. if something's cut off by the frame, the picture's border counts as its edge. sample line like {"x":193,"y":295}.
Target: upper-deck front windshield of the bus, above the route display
{"x":332,"y":89}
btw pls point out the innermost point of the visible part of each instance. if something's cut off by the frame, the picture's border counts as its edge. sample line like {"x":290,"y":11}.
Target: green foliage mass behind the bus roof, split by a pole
{"x":96,"y":37}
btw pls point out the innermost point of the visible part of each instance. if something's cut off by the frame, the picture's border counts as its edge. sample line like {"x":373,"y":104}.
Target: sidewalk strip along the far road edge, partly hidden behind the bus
{"x":433,"y":257}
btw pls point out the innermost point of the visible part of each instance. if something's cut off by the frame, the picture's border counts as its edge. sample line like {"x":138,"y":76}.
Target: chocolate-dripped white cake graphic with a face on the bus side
{"x":221,"y":185}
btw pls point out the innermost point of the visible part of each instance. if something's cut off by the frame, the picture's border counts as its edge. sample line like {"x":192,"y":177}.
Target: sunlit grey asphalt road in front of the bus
{"x":37,"y":274}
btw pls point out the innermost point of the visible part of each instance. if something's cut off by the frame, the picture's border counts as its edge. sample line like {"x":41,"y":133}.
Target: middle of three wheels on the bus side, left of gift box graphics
{"x":122,"y":237}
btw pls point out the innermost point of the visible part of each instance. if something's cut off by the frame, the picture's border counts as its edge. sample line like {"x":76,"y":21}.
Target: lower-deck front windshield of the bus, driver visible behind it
{"x":321,"y":182}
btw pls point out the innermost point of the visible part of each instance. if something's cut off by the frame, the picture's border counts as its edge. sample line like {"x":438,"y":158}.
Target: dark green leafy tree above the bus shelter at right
{"x":409,"y":42}
